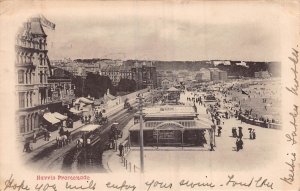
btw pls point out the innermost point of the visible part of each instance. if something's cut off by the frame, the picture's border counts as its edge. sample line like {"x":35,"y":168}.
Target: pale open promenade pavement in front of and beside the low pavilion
{"x":255,"y":154}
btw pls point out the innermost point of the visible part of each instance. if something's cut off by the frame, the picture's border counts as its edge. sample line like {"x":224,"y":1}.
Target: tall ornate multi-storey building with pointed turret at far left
{"x":32,"y":71}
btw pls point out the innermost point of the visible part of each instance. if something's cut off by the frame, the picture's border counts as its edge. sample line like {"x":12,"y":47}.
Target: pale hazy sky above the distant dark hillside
{"x":167,"y":31}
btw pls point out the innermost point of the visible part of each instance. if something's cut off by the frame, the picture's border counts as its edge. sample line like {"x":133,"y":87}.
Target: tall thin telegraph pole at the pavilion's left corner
{"x":140,"y":98}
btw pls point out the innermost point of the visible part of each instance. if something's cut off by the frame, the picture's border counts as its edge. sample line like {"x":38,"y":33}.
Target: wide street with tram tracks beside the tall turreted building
{"x":50,"y":158}
